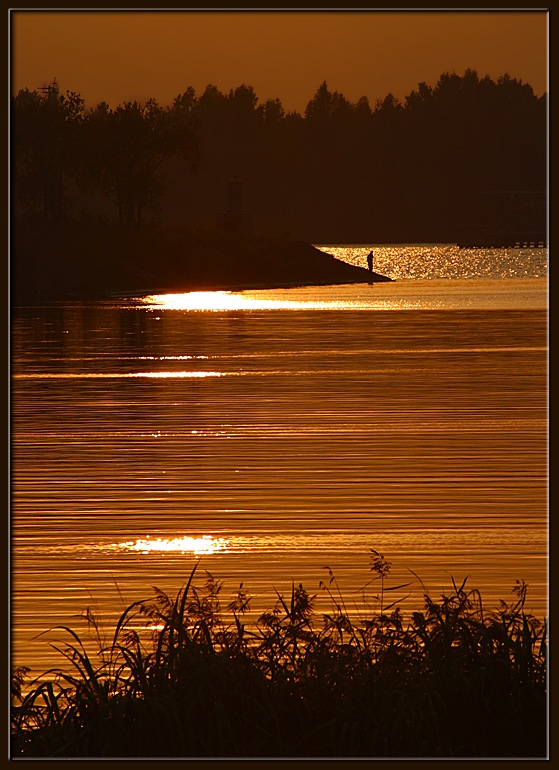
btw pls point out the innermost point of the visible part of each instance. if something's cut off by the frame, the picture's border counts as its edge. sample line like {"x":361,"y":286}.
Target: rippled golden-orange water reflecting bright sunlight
{"x":271,"y":433}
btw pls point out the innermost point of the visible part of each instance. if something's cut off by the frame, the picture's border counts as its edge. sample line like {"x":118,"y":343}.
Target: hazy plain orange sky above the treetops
{"x":121,"y":56}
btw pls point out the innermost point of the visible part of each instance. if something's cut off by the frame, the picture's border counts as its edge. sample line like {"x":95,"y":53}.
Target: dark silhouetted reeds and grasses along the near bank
{"x":185,"y":677}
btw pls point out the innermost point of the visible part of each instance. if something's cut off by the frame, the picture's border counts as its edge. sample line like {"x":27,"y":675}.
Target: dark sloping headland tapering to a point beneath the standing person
{"x":70,"y":261}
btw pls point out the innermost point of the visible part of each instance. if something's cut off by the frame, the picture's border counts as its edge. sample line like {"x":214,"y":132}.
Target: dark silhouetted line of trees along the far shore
{"x":340,"y":172}
